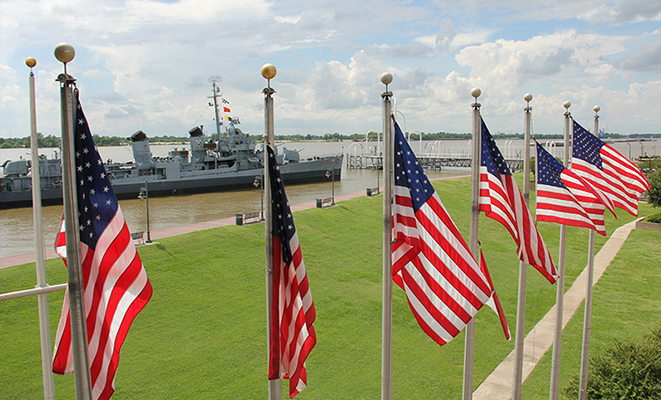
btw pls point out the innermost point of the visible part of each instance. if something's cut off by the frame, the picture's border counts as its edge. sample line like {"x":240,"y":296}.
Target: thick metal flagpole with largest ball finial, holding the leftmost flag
{"x":64,"y":52}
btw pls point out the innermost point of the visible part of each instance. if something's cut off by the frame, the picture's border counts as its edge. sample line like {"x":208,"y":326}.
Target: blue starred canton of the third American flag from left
{"x":409,"y":173}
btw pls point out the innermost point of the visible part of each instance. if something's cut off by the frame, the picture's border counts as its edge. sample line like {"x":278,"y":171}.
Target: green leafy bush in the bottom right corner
{"x":627,"y":370}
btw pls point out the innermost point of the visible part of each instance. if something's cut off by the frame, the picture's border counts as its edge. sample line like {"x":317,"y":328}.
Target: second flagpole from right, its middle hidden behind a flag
{"x":560,"y":290}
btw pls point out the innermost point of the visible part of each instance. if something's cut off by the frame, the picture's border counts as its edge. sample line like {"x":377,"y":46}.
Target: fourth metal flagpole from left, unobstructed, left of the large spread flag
{"x":386,"y":329}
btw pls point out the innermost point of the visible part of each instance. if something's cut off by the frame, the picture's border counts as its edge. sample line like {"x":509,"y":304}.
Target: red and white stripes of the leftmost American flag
{"x":115,"y":290}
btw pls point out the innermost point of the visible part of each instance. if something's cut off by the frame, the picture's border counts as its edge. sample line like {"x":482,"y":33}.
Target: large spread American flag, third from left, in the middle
{"x":443,"y":282}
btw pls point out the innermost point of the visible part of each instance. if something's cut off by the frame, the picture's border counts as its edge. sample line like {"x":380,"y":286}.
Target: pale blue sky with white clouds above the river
{"x":146,"y":64}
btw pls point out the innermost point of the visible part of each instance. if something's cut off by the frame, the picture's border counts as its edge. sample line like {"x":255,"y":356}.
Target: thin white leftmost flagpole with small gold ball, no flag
{"x":44,"y":321}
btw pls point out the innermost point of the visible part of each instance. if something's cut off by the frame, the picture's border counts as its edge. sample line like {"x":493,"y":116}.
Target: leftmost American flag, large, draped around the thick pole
{"x":115,"y":283}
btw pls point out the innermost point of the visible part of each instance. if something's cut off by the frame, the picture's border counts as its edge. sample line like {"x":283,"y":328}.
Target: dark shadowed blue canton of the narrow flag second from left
{"x":283,"y":221}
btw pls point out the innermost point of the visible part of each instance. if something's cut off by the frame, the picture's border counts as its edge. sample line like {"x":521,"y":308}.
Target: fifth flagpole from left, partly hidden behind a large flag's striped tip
{"x":469,"y":348}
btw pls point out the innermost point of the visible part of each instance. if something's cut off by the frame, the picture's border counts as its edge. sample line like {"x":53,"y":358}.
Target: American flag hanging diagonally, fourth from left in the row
{"x":501,"y":199}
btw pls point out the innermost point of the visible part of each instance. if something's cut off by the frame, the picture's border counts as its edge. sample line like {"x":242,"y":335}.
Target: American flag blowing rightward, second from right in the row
{"x":566,"y":198}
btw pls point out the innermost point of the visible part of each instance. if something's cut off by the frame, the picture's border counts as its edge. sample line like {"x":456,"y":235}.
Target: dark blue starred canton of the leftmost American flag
{"x":97,"y":204}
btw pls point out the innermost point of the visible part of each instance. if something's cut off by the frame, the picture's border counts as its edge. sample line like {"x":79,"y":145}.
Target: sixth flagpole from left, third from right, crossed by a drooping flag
{"x":523,"y":271}
